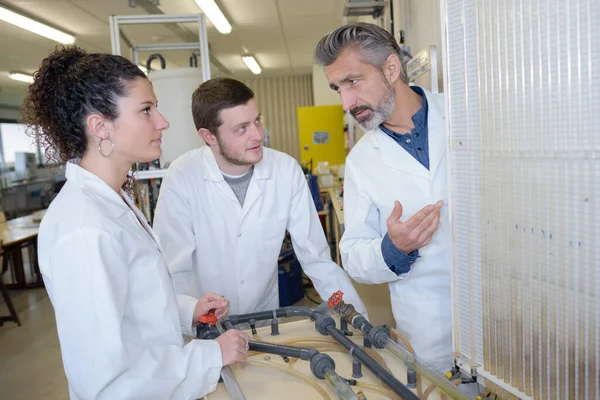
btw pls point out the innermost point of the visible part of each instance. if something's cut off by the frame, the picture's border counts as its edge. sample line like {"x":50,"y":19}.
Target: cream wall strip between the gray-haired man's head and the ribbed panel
{"x":421,"y":22}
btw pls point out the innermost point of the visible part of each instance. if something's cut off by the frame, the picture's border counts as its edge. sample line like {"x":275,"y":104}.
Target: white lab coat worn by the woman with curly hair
{"x":116,"y":311}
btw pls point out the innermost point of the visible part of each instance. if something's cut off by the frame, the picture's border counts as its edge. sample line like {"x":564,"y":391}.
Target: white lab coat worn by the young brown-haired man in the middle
{"x":212,"y":243}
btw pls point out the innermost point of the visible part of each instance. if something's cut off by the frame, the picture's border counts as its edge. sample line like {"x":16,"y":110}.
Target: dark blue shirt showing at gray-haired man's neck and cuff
{"x":416,"y":144}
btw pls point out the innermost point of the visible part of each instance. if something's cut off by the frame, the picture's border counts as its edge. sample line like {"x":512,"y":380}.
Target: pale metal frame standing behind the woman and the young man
{"x":202,"y":45}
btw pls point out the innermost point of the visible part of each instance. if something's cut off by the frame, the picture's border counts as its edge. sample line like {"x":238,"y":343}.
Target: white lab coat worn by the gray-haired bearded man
{"x":379,"y":171}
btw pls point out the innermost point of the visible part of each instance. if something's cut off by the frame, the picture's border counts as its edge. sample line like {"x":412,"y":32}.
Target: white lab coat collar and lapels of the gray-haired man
{"x":402,"y":160}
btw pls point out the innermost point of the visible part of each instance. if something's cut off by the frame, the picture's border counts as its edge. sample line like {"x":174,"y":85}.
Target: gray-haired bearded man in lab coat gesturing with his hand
{"x":395,"y":188}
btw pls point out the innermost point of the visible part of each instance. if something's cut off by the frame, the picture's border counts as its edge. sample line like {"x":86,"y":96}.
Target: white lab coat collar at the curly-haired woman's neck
{"x":92,"y":183}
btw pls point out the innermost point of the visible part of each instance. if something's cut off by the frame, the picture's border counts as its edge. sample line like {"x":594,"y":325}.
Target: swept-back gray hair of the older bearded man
{"x":373,"y":43}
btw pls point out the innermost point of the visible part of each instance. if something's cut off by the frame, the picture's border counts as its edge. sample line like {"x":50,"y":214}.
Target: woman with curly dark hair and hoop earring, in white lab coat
{"x":119,"y":322}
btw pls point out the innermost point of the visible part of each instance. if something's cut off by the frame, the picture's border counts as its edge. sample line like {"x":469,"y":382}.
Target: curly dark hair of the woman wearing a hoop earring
{"x":69,"y":85}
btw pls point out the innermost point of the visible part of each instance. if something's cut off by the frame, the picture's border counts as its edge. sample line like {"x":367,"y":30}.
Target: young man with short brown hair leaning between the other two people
{"x":224,"y":208}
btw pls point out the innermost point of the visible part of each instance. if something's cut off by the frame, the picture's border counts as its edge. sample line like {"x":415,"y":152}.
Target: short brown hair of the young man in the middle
{"x":216,"y":95}
